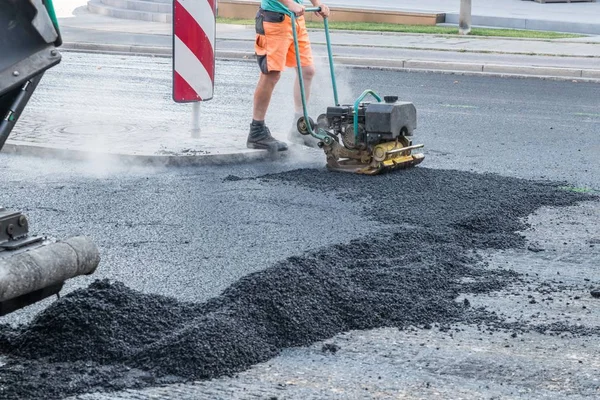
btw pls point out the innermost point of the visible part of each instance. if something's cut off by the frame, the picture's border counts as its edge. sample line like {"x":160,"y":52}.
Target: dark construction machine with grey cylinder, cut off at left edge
{"x":31,"y":267}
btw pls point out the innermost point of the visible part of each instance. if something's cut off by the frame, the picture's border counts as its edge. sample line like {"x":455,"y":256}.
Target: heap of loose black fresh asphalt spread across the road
{"x":109,"y":337}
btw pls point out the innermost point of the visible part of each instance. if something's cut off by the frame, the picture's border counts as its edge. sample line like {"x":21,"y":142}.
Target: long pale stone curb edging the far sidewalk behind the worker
{"x":487,"y":69}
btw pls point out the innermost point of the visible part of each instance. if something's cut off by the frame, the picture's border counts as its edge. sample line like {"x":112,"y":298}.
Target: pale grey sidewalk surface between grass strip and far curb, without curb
{"x":86,"y":27}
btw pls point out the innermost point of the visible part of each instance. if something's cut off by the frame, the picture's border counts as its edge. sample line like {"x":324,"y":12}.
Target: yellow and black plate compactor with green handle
{"x":364,"y":138}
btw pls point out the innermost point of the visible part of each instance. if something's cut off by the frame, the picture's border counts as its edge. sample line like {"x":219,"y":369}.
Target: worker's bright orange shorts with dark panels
{"x":274,"y":44}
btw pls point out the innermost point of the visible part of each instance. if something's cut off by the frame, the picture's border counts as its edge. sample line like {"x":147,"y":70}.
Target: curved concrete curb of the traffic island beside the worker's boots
{"x":152,"y":160}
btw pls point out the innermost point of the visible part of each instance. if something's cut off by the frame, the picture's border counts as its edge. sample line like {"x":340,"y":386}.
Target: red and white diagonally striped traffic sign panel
{"x":194,"y":28}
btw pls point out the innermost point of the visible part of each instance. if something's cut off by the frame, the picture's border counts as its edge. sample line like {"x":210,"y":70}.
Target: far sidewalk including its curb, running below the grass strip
{"x":558,"y":58}
